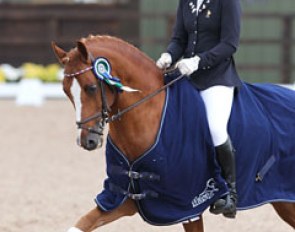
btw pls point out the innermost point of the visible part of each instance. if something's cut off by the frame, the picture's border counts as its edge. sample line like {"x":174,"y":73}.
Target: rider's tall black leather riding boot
{"x":226,"y":159}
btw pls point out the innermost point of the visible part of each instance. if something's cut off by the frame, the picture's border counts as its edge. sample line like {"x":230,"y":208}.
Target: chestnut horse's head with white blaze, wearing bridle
{"x":91,"y":97}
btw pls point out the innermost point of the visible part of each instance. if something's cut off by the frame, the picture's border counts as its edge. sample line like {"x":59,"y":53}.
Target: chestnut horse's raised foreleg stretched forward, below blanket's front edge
{"x":96,"y":218}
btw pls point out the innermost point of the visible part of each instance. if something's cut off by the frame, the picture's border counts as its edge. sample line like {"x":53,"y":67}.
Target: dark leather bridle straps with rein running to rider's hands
{"x":105,"y":109}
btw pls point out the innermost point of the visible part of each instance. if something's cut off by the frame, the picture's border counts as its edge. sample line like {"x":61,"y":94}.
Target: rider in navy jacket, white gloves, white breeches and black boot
{"x":206,"y":35}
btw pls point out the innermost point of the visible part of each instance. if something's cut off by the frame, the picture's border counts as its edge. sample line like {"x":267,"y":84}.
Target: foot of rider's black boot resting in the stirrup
{"x":225,"y":206}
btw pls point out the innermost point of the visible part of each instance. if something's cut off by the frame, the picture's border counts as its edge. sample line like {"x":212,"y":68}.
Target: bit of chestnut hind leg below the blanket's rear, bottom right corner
{"x":286,"y":211}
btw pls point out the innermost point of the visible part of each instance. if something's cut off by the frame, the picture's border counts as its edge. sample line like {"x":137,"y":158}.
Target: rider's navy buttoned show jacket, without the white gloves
{"x":212,"y":34}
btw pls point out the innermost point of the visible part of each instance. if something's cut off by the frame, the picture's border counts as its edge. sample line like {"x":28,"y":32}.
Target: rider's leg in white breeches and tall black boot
{"x":218,"y":103}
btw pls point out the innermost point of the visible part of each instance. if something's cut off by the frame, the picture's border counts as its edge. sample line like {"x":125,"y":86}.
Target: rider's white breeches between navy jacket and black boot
{"x":218,"y":103}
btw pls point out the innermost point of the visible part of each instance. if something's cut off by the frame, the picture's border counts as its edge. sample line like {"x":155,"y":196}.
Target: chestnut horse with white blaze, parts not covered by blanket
{"x":95,"y":105}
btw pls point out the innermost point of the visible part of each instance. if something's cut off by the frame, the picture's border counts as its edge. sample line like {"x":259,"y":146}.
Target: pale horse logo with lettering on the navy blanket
{"x":207,"y":194}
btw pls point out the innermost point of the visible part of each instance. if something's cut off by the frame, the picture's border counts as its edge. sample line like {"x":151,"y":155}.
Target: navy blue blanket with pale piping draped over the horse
{"x":177,"y":178}
